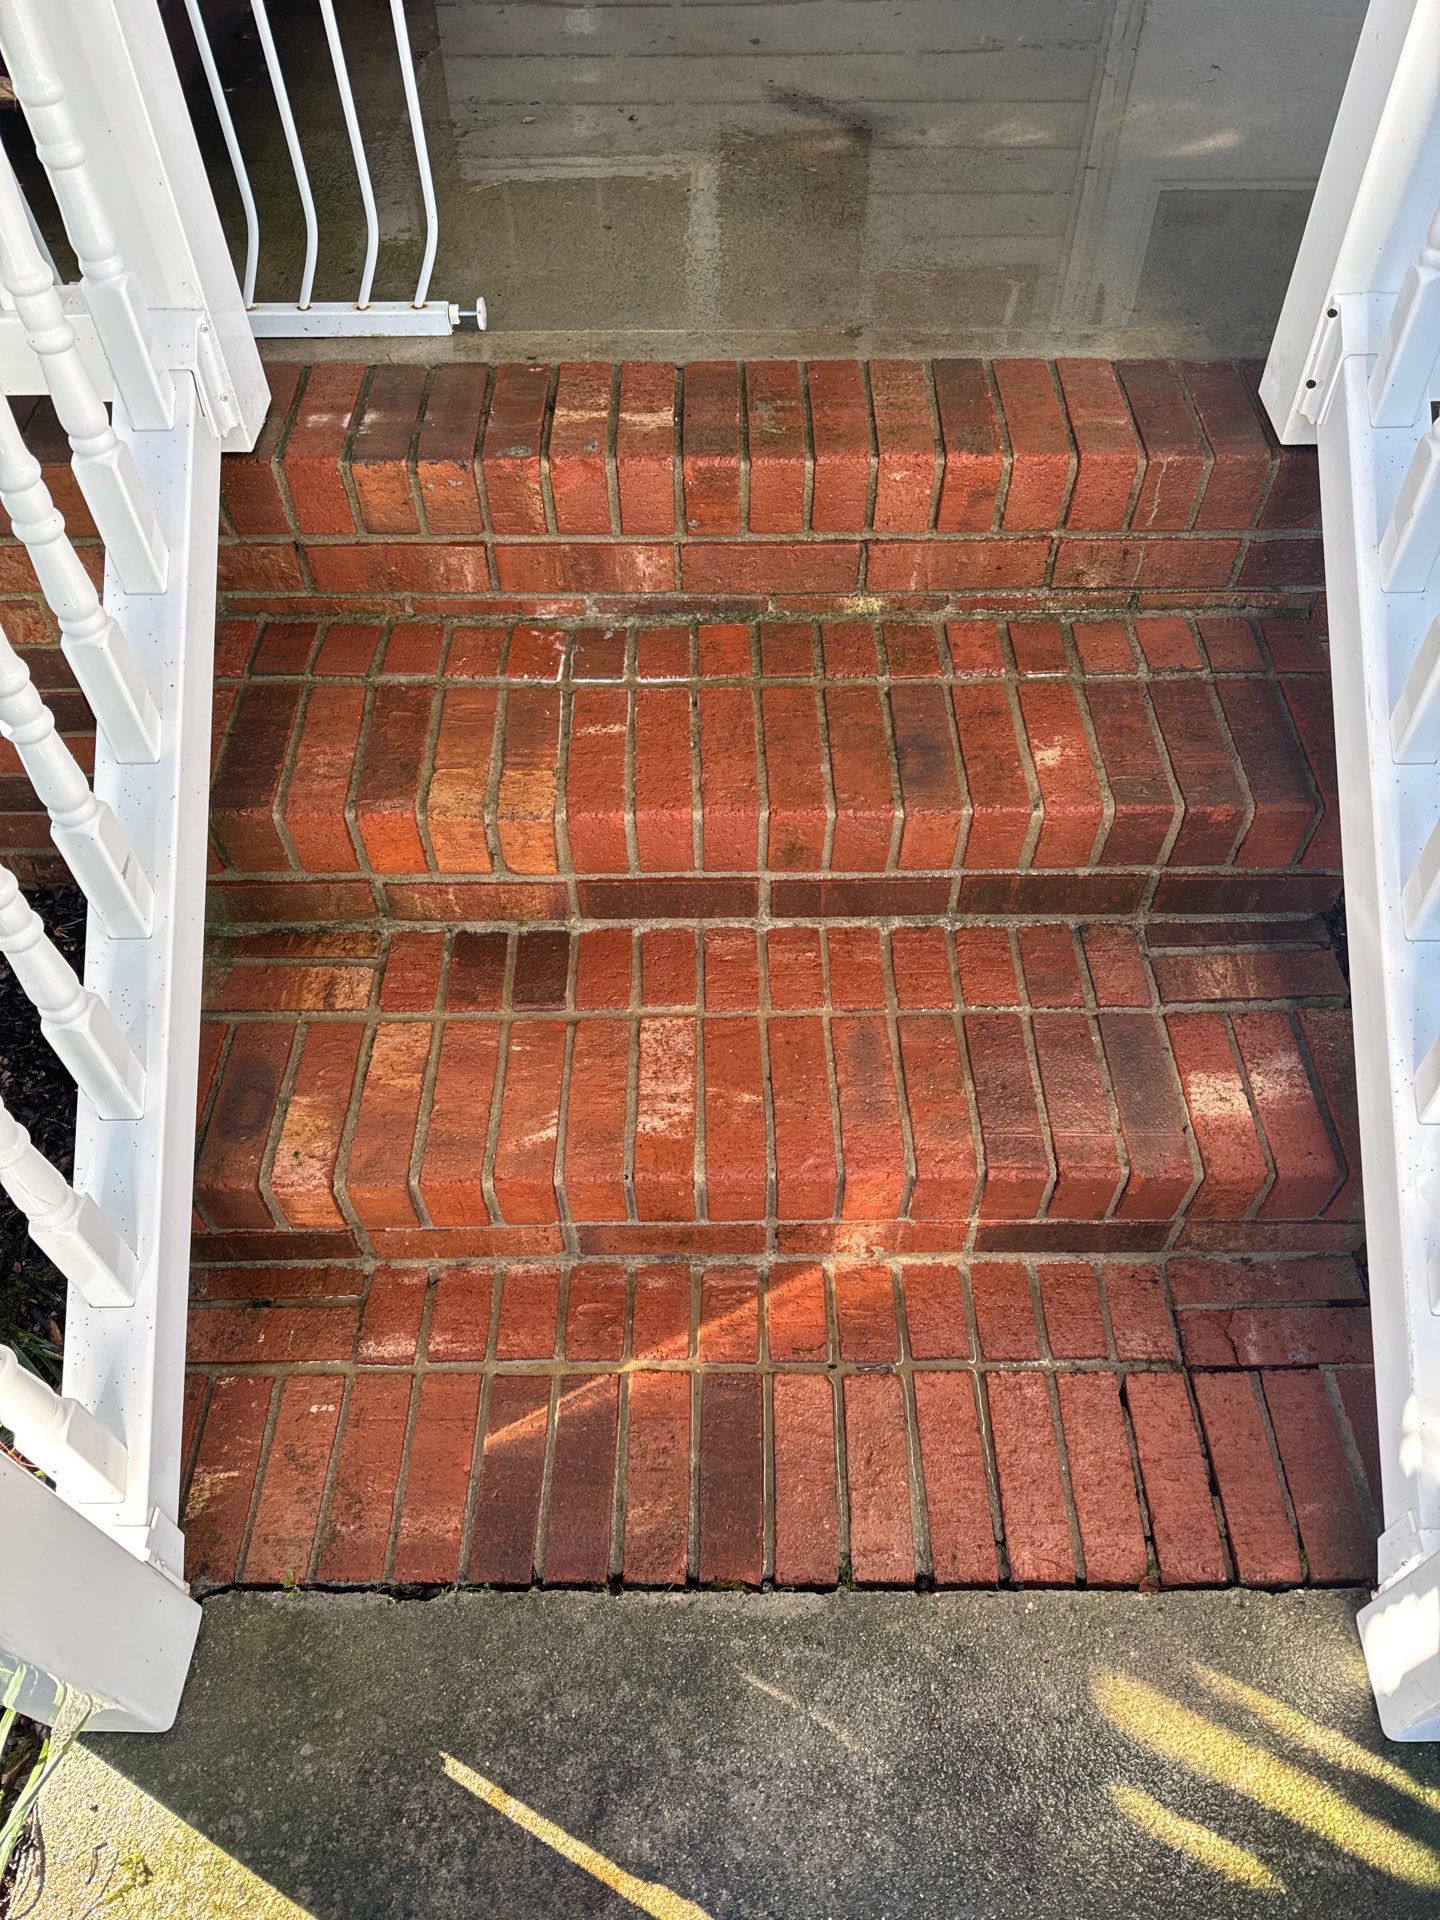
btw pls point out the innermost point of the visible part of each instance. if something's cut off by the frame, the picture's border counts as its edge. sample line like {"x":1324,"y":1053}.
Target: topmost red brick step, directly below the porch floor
{"x":715,"y":481}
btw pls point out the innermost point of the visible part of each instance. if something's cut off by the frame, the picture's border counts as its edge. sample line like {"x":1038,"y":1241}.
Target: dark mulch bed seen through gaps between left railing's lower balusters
{"x":41,"y":1095}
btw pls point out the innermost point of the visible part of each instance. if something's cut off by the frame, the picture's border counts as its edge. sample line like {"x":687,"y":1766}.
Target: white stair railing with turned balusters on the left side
{"x":153,"y":370}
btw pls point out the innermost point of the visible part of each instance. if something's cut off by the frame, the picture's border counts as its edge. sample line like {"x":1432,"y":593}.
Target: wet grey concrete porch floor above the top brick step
{"x":823,"y":178}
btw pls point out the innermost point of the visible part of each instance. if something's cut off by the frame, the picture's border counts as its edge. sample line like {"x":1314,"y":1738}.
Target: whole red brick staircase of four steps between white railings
{"x":777,"y":1007}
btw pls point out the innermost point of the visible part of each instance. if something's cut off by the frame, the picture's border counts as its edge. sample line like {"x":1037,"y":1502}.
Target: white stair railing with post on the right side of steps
{"x":1355,"y":368}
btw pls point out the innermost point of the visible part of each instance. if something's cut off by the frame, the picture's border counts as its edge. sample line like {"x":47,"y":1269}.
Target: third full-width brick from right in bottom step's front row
{"x":1176,"y":1481}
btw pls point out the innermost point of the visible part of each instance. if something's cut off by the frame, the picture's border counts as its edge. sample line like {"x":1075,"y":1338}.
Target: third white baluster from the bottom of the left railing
{"x":76,"y":1022}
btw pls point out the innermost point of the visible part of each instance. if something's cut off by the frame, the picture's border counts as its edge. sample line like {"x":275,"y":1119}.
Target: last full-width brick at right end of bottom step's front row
{"x":1333,"y":1531}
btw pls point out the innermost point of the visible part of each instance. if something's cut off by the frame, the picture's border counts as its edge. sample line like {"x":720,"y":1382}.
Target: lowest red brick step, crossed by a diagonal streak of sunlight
{"x":575,"y":1424}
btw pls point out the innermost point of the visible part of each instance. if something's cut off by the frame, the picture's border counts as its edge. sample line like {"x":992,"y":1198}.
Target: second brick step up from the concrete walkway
{"x":805,"y":1090}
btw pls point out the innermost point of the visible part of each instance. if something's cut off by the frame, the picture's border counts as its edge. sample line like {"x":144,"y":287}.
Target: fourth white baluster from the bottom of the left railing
{"x":84,"y":828}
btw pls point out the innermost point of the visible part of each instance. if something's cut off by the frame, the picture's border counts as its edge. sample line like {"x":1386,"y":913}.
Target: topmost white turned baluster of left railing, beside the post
{"x":110,"y":289}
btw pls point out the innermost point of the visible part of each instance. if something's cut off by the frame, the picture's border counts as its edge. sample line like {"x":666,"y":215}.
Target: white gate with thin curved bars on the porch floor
{"x":308,"y":316}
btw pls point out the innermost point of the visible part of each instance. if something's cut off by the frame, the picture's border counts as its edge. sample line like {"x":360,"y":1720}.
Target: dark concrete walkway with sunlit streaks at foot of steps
{"x":713,"y":1756}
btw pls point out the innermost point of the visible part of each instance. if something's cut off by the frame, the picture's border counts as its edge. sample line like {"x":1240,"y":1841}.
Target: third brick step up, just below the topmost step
{"x":800,"y":769}
